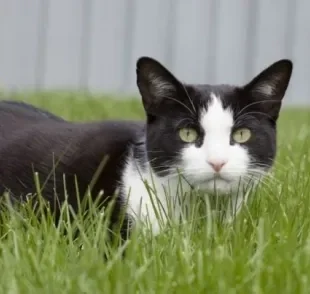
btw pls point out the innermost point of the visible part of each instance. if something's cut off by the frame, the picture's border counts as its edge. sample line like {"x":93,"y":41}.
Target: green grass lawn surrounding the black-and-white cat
{"x":267,"y":249}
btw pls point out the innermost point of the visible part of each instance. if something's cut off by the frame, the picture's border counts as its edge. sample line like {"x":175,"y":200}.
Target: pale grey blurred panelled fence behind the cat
{"x":93,"y":45}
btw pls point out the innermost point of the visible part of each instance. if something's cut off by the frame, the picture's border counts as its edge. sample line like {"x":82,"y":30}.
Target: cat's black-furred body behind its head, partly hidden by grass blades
{"x":36,"y":141}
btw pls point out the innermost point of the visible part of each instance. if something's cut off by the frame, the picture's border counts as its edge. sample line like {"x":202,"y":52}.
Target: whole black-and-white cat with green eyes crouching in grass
{"x":209,"y":138}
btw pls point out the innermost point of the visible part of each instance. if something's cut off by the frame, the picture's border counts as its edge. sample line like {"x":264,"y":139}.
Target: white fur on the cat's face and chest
{"x":217,"y":124}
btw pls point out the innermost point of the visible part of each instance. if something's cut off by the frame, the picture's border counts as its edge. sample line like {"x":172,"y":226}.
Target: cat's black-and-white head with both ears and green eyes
{"x":215,"y":135}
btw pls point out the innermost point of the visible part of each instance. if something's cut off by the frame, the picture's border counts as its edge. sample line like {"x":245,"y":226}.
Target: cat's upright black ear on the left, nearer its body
{"x":156,"y":84}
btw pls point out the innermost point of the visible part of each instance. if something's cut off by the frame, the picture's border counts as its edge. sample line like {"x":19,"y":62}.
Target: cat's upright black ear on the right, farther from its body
{"x":268,"y":88}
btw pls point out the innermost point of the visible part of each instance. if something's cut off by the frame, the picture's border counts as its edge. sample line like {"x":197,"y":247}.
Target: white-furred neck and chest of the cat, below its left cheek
{"x":150,"y":197}
